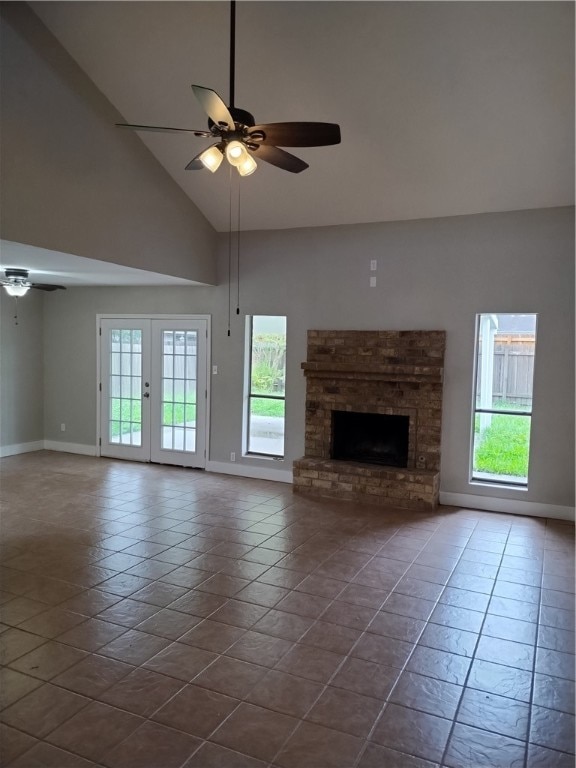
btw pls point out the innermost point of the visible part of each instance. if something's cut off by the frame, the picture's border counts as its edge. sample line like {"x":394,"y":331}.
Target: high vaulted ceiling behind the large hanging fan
{"x":446,"y":108}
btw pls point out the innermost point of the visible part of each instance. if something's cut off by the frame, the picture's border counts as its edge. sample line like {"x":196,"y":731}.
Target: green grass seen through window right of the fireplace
{"x":503,"y":448}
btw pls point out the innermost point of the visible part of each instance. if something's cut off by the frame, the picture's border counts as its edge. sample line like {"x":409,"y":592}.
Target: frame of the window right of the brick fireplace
{"x":493,"y":479}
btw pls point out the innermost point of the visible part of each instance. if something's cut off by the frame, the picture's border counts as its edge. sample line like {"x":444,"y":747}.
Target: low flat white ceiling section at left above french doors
{"x":47,"y":266}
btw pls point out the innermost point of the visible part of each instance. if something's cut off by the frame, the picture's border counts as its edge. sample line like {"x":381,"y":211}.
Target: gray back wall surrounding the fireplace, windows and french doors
{"x":432,"y":274}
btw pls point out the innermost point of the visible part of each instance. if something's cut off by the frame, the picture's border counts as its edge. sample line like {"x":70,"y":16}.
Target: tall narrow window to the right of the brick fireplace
{"x":505,"y":346}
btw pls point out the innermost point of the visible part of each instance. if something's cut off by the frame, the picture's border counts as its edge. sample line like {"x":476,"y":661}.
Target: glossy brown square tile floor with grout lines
{"x":155,"y":617}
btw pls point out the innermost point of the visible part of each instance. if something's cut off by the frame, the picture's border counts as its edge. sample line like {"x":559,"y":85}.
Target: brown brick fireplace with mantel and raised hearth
{"x":385,"y":373}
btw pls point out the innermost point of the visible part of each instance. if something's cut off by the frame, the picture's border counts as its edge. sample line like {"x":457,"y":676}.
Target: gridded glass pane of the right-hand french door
{"x":179,"y":371}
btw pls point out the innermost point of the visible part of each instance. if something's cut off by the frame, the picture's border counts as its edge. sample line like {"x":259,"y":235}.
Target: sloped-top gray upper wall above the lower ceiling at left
{"x":72,"y":181}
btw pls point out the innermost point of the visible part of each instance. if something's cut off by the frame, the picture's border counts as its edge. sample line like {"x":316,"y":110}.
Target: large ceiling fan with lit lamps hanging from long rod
{"x":239,"y":138}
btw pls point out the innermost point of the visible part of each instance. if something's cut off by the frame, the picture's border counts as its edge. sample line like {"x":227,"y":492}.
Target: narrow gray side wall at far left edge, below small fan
{"x":21,"y":370}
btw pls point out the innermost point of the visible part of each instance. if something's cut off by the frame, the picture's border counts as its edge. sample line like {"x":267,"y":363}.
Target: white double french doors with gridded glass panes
{"x":153,"y":389}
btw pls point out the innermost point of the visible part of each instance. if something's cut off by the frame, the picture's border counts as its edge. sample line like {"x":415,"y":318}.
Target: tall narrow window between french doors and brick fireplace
{"x":266,"y":354}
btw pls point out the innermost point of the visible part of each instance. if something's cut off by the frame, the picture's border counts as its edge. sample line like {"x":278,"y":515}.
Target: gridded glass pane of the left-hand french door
{"x":125,"y":387}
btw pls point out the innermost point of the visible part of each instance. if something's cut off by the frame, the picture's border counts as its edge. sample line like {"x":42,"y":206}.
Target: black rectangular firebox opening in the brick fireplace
{"x":371,"y":438}
